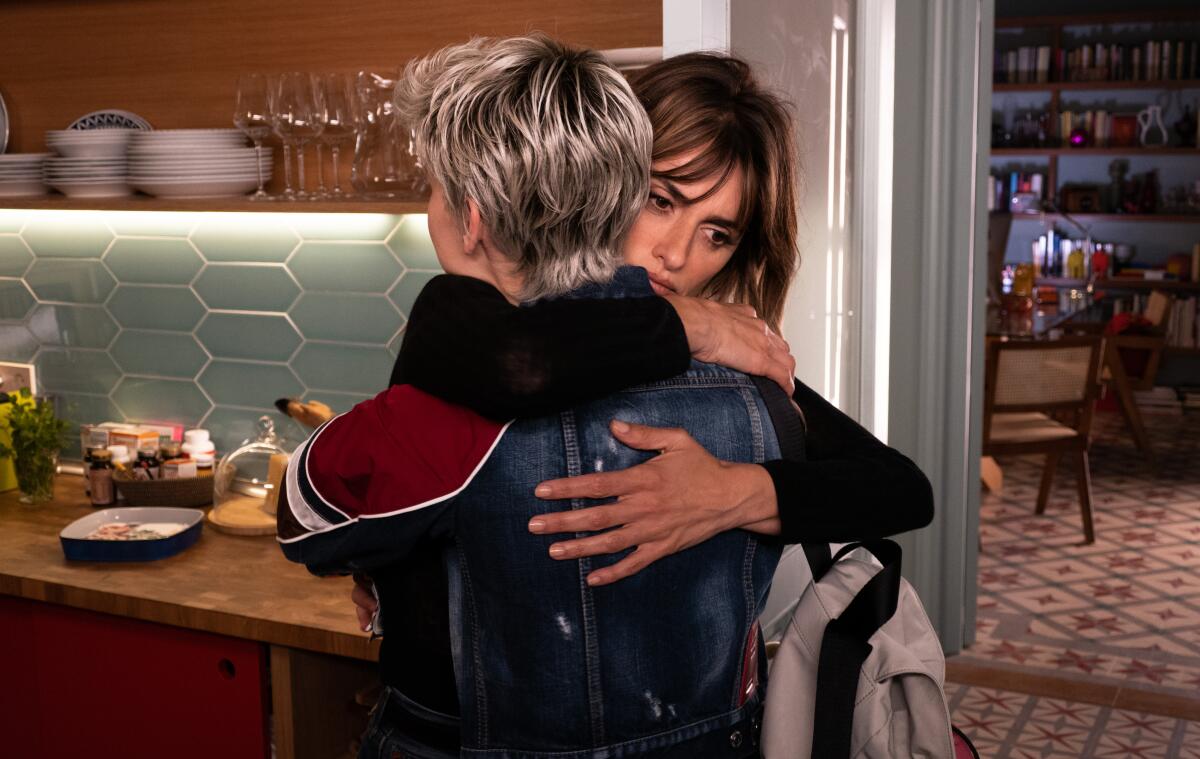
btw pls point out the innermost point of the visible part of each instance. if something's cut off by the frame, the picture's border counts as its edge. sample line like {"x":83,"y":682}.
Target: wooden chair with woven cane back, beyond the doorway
{"x":1039,"y":399}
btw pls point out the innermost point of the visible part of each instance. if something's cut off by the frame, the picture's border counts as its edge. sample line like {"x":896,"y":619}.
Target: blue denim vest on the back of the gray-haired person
{"x":664,"y":662}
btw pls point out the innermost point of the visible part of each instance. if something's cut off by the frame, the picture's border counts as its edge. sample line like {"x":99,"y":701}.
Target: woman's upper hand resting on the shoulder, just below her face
{"x":733,"y":336}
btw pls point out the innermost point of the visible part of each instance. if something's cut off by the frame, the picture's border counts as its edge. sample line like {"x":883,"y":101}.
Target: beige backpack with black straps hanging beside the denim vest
{"x":860,"y":670}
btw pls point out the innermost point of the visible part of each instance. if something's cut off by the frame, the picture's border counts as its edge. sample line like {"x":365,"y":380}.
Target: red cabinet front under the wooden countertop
{"x":81,"y":684}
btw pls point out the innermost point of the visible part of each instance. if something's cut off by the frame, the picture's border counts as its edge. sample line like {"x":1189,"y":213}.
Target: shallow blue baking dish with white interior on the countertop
{"x":79,"y":548}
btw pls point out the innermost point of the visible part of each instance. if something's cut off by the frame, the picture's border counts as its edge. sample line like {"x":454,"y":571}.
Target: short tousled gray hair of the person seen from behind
{"x":549,"y":142}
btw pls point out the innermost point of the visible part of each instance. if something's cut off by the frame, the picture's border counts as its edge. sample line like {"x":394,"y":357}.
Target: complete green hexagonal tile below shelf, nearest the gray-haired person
{"x":351,"y":267}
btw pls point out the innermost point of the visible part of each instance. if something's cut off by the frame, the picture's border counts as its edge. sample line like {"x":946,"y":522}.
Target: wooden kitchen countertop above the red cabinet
{"x":237,"y":587}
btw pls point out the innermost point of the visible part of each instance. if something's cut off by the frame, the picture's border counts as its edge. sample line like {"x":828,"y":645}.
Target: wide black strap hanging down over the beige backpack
{"x":845,"y":647}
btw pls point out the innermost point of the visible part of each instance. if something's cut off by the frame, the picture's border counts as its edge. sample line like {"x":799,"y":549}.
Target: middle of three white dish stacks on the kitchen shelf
{"x":91,"y":163}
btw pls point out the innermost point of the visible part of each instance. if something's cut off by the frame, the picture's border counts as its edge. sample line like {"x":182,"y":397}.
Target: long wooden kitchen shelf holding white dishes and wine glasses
{"x":143,"y":204}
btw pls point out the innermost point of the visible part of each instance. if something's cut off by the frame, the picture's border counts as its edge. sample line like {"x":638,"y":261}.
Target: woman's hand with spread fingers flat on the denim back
{"x":676,"y":500}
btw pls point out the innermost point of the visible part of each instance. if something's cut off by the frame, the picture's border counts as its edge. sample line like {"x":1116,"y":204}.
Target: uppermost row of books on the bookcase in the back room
{"x":1150,"y":62}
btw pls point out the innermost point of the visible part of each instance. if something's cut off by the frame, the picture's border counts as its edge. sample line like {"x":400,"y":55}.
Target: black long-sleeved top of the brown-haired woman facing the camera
{"x":467,"y":344}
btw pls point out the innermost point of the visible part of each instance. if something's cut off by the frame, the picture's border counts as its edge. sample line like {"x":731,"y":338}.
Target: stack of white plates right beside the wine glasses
{"x":195,"y":164}
